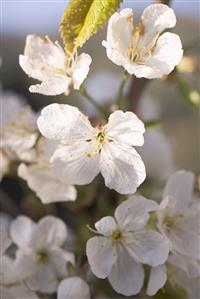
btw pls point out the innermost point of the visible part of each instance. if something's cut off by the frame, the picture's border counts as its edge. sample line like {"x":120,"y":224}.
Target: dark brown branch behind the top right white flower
{"x":138,"y":85}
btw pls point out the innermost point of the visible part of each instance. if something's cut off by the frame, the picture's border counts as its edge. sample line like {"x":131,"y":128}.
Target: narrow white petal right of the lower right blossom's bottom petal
{"x":158,"y":278}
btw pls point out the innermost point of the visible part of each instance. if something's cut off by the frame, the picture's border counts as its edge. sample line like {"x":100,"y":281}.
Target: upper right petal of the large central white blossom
{"x":125,"y":127}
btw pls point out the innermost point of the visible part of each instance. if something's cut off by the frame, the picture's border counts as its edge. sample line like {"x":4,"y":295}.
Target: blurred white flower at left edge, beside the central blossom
{"x":19,"y":131}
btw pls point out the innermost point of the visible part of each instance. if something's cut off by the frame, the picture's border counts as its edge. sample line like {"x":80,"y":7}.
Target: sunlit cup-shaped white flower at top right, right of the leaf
{"x":141,"y":50}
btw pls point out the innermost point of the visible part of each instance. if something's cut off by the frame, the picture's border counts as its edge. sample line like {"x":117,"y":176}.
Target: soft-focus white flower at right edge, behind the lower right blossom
{"x":178,"y":216}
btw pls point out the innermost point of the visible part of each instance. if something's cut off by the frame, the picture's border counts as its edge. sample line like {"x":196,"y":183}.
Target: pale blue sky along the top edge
{"x":42,"y":17}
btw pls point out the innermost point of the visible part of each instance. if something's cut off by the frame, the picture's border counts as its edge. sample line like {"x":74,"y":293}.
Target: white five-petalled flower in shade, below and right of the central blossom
{"x":125,"y":244}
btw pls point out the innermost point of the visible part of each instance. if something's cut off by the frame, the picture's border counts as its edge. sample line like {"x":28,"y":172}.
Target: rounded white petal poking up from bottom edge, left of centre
{"x":73,"y":288}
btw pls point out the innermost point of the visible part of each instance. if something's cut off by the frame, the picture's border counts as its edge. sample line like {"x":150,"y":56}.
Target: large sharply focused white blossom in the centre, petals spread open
{"x":84,"y":151}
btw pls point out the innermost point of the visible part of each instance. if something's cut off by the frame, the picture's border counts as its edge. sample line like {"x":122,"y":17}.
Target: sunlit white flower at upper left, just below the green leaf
{"x":46,"y":61}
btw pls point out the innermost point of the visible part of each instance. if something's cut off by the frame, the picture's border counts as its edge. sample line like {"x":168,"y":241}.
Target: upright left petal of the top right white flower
{"x":120,"y":27}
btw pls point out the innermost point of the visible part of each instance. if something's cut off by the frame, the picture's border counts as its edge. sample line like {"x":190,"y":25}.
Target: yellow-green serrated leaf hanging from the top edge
{"x":82,"y":19}
